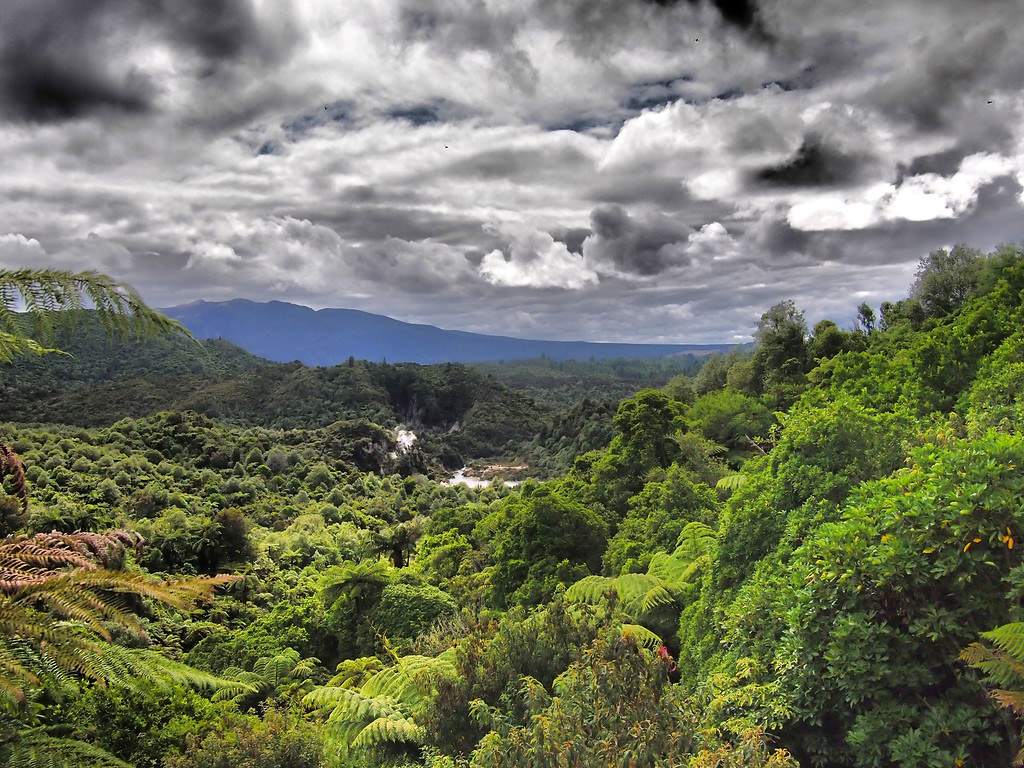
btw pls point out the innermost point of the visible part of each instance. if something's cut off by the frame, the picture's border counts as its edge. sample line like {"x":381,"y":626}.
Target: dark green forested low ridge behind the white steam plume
{"x":97,"y":383}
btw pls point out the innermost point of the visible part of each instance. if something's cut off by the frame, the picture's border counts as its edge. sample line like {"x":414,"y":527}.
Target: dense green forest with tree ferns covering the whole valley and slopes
{"x":806,"y":554}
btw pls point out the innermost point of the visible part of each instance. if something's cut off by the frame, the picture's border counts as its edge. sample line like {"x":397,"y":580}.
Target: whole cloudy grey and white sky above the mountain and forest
{"x":605,"y":170}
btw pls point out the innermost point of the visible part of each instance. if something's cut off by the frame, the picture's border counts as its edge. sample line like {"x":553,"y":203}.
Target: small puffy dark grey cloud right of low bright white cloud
{"x":637,"y":246}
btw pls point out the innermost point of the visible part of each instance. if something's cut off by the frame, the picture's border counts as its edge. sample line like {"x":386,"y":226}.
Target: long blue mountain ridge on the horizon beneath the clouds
{"x":283,"y":332}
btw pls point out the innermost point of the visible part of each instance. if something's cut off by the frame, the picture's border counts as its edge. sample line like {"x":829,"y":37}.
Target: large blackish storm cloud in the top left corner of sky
{"x":63,"y":60}
